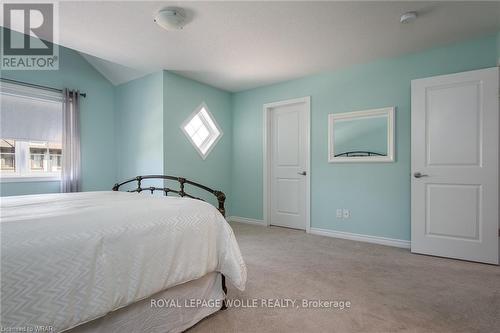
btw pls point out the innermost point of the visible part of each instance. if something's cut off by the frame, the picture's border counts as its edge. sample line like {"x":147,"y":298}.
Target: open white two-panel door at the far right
{"x":454,"y":180}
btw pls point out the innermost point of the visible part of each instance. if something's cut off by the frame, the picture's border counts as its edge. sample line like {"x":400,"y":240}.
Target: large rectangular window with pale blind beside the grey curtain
{"x":31,"y":128}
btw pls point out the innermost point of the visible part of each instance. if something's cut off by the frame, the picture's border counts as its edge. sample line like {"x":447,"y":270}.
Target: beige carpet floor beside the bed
{"x":391,"y":290}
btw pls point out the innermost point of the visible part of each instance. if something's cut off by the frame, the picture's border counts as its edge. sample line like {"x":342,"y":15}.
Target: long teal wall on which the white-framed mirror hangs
{"x":378,"y":195}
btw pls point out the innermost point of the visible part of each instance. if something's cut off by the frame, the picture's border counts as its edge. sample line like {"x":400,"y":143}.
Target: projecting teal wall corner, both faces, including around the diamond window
{"x":149,"y":114}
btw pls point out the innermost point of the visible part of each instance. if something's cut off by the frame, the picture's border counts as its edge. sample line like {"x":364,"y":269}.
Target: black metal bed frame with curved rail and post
{"x":221,"y":198}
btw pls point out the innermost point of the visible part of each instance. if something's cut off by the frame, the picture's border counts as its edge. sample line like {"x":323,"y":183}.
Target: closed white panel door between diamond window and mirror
{"x":289,"y":154}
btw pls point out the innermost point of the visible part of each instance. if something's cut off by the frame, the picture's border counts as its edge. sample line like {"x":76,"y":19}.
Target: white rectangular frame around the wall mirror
{"x":389,"y":112}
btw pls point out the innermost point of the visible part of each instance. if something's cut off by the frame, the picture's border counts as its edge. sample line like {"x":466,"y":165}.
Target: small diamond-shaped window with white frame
{"x":202,"y":130}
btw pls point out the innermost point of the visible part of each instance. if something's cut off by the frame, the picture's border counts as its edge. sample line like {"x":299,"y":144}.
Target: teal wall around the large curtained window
{"x":97,"y":122}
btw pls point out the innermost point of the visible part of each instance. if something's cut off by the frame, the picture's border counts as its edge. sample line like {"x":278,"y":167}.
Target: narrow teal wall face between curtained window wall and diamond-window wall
{"x":139,"y":127}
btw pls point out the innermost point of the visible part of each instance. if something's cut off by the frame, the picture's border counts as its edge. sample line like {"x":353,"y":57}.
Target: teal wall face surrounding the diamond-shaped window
{"x":182,"y":96}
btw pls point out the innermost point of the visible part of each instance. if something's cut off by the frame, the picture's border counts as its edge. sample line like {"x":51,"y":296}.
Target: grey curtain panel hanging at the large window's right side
{"x":71,"y":164}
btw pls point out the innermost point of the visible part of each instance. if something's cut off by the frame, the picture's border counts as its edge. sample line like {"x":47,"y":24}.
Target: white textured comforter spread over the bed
{"x":70,"y":258}
